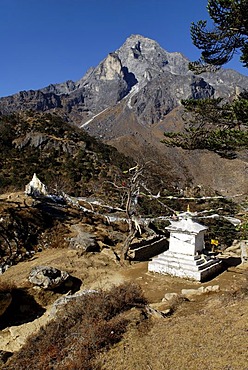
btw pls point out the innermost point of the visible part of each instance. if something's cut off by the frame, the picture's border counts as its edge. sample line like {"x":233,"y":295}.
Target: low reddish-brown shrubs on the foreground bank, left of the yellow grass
{"x":92,"y":323}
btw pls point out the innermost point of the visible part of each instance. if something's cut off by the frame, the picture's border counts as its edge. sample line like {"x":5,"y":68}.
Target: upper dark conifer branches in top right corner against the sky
{"x":228,"y":36}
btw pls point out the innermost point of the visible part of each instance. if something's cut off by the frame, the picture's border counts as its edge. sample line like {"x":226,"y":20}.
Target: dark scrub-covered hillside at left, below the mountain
{"x":64,"y":156}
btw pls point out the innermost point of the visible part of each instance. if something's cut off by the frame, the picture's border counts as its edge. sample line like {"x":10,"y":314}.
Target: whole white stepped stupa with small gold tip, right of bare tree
{"x":185,"y":257}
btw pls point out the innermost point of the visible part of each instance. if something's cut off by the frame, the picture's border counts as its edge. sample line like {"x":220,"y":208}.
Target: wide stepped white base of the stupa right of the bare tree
{"x":196,"y":267}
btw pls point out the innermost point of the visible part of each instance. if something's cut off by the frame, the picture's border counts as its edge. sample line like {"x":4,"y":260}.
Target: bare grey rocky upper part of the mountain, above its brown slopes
{"x":152,"y":80}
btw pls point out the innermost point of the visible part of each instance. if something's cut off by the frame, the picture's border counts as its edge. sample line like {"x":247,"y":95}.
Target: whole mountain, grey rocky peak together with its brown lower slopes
{"x":131,"y":98}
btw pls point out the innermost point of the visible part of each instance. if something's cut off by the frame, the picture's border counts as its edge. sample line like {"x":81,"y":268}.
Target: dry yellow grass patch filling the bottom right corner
{"x":214,"y":338}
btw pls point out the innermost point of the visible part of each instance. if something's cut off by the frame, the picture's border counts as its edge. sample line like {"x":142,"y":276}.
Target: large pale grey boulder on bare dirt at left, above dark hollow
{"x":47,"y":277}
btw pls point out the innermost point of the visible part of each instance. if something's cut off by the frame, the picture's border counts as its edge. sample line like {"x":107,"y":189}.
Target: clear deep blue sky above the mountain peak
{"x":51,"y":41}
